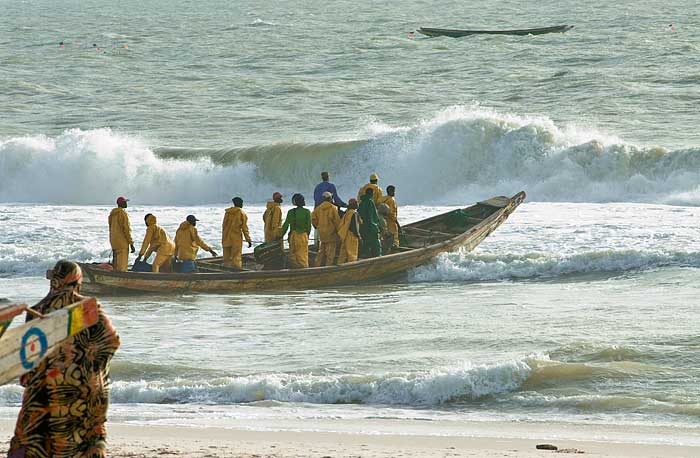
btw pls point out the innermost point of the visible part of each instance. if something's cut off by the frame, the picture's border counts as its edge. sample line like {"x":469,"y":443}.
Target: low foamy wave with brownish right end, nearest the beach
{"x":536,"y":382}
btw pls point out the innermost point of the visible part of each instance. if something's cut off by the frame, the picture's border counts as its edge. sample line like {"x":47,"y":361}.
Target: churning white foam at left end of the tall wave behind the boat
{"x":92,"y":167}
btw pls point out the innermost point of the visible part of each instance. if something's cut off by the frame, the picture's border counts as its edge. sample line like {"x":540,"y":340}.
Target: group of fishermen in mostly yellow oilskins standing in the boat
{"x":368,"y":227}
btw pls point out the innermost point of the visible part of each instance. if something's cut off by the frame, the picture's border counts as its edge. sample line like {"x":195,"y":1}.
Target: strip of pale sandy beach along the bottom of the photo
{"x":172,"y":441}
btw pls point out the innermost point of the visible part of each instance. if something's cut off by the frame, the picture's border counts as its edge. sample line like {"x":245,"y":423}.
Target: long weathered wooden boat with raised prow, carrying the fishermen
{"x":423,"y":240}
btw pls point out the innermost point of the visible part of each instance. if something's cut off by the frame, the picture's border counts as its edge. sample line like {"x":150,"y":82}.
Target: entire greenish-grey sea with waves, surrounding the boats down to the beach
{"x":581,"y":308}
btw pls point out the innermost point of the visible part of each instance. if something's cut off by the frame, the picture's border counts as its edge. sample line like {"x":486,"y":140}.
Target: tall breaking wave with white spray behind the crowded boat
{"x":460,"y":154}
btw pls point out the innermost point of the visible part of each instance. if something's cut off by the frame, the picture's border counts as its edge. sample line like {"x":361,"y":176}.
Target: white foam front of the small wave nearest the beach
{"x":415,"y":389}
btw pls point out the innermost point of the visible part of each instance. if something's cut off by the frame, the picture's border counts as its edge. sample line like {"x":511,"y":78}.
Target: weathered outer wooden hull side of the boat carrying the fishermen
{"x":98,"y":279}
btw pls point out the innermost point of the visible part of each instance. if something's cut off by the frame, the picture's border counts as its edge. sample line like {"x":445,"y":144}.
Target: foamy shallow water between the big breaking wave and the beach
{"x":525,"y":328}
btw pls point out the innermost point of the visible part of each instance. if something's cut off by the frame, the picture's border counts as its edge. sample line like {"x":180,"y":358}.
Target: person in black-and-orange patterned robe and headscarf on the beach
{"x":64,"y":407}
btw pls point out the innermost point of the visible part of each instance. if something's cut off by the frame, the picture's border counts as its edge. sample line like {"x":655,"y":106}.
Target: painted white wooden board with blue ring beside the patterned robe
{"x":25,"y":346}
